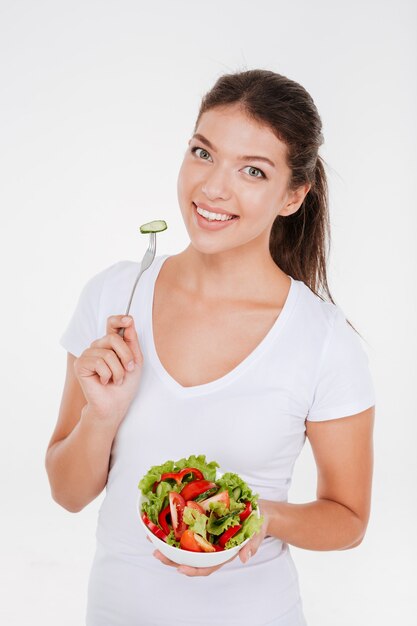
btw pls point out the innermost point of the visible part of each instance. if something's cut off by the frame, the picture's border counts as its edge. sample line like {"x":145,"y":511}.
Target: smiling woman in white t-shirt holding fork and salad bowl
{"x":230,"y":351}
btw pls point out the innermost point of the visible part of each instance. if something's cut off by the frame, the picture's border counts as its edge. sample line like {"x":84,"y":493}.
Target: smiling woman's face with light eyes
{"x":233,"y":166}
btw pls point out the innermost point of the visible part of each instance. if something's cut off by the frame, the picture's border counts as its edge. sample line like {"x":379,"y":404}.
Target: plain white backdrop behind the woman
{"x":98,"y":100}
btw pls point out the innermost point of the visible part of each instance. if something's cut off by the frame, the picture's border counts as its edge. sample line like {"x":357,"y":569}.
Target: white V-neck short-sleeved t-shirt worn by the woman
{"x":310,"y":365}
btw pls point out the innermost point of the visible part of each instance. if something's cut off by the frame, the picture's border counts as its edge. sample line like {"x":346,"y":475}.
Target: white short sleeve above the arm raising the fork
{"x":82,"y":328}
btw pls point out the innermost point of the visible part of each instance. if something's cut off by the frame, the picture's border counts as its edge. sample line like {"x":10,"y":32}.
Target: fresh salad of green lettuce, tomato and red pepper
{"x":189,"y":507}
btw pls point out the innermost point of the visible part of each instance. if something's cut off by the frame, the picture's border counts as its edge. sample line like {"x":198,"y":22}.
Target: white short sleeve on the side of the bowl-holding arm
{"x":344,"y":385}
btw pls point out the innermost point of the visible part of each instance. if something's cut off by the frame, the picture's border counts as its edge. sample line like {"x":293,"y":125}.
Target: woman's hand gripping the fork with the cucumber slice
{"x":109,"y":370}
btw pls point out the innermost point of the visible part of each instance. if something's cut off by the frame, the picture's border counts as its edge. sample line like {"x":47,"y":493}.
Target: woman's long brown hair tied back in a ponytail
{"x":299,"y":243}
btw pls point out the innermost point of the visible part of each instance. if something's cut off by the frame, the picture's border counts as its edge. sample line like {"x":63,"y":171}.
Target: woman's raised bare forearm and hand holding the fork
{"x":99,"y":388}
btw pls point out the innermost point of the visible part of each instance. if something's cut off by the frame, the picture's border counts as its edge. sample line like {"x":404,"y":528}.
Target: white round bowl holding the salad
{"x":186,"y":557}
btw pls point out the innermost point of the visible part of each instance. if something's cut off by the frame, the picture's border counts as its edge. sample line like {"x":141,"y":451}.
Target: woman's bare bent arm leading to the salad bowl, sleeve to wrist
{"x":343,"y":451}
